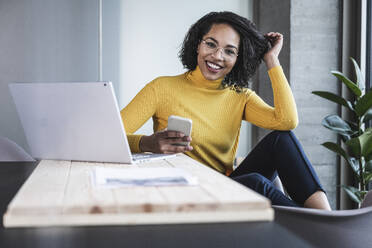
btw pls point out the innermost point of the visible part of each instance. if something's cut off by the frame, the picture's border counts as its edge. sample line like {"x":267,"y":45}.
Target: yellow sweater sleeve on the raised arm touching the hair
{"x":284,"y":114}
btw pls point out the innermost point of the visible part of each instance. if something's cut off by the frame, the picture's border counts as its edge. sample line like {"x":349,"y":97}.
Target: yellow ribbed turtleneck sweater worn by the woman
{"x":216,"y":113}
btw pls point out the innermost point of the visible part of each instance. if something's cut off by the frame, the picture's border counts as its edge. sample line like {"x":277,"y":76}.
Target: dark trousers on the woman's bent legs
{"x":281,"y":153}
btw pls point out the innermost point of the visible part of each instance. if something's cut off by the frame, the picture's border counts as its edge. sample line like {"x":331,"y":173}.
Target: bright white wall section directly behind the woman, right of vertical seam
{"x":151,"y":34}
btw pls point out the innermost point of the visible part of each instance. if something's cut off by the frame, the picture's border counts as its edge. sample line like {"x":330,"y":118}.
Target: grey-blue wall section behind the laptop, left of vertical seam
{"x":44,"y":40}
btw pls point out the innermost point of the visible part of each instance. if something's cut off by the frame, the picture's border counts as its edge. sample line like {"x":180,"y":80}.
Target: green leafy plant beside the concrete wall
{"x":356,"y":138}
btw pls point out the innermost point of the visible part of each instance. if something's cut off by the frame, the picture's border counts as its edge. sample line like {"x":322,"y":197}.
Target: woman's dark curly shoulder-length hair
{"x":253,"y":45}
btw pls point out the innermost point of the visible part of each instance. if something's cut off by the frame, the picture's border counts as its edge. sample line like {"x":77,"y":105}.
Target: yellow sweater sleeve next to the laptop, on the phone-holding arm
{"x":137,"y":112}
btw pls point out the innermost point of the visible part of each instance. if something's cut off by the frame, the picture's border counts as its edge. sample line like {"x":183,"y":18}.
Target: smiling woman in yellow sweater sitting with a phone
{"x":221,"y":52}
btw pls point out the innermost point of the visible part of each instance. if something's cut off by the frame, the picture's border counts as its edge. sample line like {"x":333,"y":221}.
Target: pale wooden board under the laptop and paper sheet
{"x":61,"y":193}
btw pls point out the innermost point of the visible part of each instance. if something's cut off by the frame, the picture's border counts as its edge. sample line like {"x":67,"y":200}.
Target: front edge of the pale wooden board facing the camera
{"x":141,"y":219}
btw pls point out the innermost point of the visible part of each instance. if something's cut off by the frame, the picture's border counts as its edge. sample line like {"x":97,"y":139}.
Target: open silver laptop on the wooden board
{"x":74,"y":121}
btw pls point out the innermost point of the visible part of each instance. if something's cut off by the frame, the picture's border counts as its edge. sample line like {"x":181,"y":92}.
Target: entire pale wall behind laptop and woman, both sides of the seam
{"x":56,"y":40}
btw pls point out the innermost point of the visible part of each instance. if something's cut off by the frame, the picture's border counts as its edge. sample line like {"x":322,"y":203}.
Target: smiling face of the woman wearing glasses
{"x":217,"y":63}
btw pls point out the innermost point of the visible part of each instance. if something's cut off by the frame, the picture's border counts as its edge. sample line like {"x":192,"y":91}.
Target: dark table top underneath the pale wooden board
{"x":242,"y":234}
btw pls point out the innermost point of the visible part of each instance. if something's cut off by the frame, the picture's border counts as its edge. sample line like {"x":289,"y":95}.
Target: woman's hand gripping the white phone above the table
{"x":165,"y":142}
